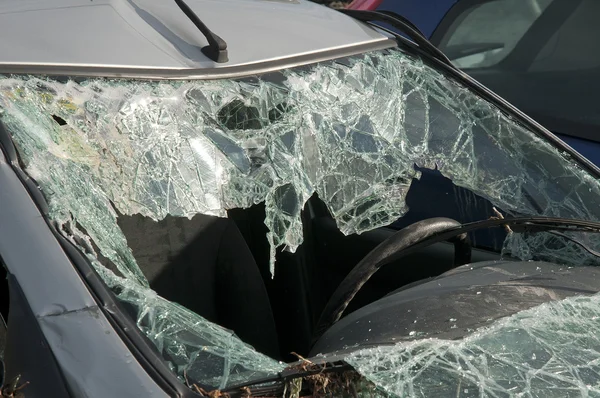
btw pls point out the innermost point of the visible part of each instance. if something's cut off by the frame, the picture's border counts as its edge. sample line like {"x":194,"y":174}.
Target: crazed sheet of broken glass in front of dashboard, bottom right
{"x":529,"y":354}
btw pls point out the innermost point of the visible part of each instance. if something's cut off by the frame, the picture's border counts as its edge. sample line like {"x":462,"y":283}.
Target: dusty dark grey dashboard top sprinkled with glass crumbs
{"x":458,"y":303}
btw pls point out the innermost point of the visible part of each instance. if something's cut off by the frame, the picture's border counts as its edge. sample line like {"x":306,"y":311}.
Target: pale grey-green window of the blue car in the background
{"x":484,"y":34}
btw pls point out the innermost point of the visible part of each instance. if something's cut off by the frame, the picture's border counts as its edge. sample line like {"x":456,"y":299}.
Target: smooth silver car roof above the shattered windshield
{"x":155,"y":35}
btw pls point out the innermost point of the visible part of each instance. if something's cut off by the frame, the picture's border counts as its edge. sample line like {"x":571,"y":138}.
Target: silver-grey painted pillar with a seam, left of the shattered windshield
{"x":95,"y":360}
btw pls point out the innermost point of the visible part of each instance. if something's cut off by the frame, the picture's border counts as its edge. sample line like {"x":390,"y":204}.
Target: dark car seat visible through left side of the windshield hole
{"x":204,"y":264}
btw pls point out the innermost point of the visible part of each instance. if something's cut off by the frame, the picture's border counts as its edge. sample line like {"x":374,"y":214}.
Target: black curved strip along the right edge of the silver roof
{"x":403,"y":25}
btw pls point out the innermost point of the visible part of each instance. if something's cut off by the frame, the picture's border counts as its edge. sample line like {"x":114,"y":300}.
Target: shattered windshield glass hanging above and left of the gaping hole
{"x":356,"y":132}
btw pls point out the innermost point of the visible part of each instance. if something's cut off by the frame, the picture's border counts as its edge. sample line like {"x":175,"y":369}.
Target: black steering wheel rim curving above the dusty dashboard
{"x":401,"y":243}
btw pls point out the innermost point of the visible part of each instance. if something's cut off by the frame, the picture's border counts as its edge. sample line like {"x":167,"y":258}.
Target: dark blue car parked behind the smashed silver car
{"x":541,"y":55}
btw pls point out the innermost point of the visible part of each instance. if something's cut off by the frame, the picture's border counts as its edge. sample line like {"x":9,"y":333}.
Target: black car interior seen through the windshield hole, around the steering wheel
{"x":219,"y":267}
